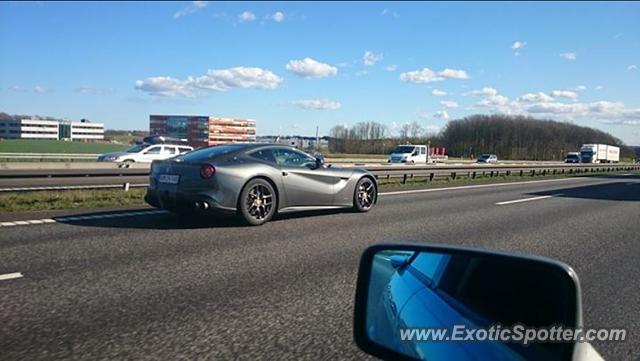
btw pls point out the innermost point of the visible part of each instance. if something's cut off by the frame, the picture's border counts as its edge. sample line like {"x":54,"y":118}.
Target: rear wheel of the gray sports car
{"x":258,"y":202}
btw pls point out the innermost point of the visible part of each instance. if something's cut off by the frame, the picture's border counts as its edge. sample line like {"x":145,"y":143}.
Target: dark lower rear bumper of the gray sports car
{"x":177,"y":201}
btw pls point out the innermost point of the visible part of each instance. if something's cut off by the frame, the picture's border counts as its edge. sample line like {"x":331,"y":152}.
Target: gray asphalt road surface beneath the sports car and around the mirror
{"x":158,"y":287}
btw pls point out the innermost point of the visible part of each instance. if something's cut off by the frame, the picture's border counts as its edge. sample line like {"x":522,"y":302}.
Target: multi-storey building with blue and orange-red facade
{"x":201,"y":130}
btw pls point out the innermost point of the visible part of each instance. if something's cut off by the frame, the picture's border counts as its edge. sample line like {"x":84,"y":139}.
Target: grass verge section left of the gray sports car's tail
{"x":73,"y":199}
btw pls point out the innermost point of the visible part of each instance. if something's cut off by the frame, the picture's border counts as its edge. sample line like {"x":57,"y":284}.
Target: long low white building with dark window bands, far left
{"x":33,"y":128}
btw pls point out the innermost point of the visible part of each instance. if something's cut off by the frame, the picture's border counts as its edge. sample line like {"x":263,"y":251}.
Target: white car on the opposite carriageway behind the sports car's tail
{"x":145,"y":153}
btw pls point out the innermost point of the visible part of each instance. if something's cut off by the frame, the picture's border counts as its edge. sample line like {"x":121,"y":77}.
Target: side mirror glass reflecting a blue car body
{"x":462,"y":292}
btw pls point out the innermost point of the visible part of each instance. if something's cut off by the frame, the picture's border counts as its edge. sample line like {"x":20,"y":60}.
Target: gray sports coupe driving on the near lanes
{"x":255,"y":181}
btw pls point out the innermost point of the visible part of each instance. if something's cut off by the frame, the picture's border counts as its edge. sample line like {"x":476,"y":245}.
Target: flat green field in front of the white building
{"x":56,"y":146}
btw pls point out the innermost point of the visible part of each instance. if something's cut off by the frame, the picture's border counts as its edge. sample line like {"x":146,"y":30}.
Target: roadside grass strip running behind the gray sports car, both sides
{"x":78,"y":199}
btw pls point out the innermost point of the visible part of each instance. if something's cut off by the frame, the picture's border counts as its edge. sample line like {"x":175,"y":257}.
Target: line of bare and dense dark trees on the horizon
{"x":510,"y":137}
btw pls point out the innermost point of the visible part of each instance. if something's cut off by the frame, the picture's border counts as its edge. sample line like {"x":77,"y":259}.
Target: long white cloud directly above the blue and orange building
{"x":219,"y":80}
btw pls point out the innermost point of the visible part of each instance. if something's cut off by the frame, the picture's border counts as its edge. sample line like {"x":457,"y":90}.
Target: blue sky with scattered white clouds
{"x":295,"y":66}
